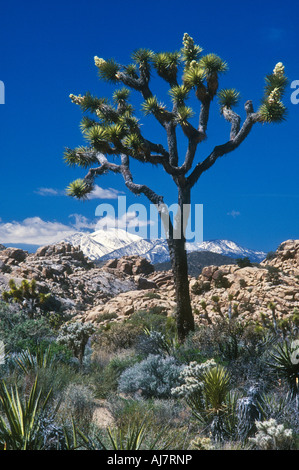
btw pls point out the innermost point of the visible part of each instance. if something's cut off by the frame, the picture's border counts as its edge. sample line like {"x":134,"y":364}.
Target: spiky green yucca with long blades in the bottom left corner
{"x":20,"y":418}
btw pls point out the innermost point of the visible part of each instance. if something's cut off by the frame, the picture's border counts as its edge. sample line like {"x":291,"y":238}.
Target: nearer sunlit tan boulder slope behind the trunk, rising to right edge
{"x":250,"y":293}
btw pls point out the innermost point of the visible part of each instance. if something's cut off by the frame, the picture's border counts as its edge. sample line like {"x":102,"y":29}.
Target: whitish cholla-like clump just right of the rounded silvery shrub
{"x":193,"y":376}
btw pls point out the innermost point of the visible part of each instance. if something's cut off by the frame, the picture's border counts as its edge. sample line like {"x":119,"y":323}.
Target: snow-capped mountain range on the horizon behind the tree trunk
{"x":115,"y":243}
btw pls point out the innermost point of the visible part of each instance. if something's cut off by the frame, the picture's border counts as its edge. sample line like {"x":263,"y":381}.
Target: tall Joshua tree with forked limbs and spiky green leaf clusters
{"x":112,"y":130}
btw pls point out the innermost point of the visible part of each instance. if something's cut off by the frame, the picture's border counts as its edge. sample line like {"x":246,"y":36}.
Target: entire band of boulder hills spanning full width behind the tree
{"x":123,"y":286}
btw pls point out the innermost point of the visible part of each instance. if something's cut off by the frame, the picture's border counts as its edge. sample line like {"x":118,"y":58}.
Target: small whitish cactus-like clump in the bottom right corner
{"x":272,"y":436}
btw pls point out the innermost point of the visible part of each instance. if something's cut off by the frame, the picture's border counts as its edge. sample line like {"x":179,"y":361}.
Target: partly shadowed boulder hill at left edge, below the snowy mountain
{"x":64,"y":271}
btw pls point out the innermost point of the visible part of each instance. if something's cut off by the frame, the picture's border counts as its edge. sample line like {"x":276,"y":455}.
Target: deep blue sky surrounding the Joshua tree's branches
{"x":250,"y":196}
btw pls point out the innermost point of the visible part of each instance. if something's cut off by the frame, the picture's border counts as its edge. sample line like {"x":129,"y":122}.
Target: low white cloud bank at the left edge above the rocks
{"x":35,"y":231}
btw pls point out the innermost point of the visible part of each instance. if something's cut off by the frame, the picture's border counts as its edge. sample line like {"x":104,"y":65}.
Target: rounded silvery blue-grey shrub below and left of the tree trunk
{"x":155,"y":376}
